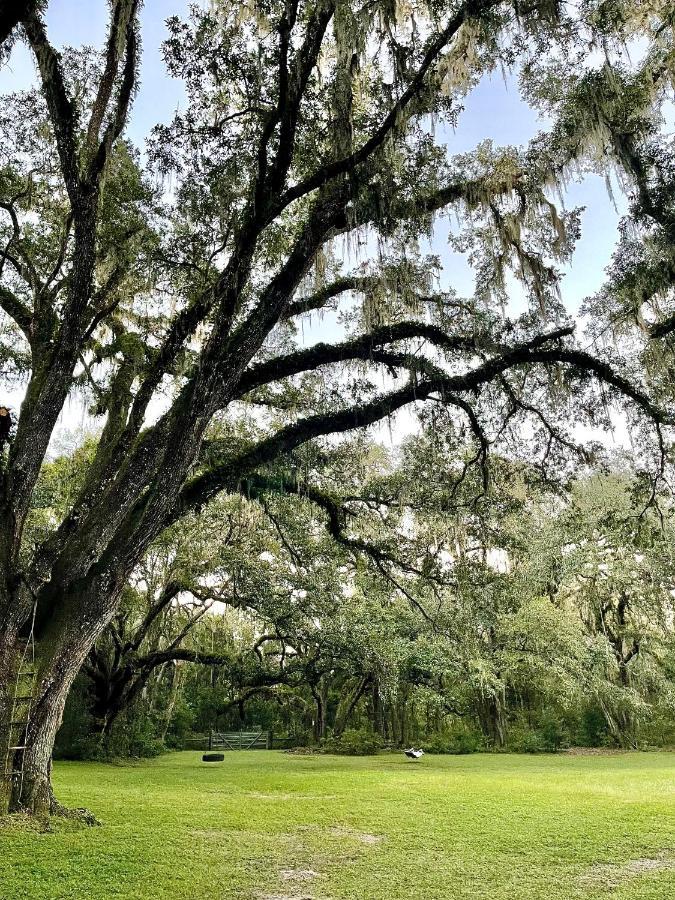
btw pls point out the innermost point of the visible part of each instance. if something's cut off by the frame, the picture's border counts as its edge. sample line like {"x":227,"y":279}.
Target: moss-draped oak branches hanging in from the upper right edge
{"x":628,"y":105}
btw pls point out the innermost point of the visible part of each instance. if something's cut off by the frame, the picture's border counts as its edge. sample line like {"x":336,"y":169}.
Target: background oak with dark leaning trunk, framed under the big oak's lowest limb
{"x":274,"y":580}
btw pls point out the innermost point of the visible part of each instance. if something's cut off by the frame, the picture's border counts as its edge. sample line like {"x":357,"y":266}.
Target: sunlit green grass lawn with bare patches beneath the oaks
{"x":271,"y":826}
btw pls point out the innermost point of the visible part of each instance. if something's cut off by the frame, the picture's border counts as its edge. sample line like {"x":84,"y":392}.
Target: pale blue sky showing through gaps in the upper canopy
{"x":493,"y":110}
